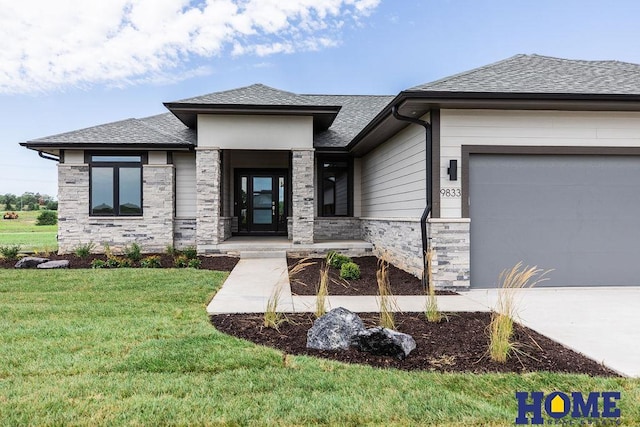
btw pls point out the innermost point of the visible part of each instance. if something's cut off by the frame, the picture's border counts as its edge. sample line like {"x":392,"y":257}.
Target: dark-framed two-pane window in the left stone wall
{"x":115,"y":185}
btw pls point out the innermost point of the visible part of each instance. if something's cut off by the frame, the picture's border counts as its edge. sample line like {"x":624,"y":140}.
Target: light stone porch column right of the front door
{"x":303,"y":193}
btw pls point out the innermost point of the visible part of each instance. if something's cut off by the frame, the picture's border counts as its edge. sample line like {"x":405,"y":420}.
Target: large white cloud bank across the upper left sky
{"x":48,"y":45}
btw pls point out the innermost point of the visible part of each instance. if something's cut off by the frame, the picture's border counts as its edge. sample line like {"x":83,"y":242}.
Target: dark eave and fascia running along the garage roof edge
{"x":418,"y":103}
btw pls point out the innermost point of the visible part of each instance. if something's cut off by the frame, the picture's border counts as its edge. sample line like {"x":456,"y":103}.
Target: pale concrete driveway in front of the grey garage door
{"x":601,"y":323}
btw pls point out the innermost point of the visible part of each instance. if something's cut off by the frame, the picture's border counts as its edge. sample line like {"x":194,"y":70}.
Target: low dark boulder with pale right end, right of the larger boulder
{"x":384,"y":342}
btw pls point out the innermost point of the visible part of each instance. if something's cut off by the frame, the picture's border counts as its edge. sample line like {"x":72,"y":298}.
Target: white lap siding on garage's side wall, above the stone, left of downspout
{"x":393,"y":180}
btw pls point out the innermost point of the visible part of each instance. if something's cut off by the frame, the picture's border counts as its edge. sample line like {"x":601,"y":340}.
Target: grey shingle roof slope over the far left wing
{"x":163,"y":129}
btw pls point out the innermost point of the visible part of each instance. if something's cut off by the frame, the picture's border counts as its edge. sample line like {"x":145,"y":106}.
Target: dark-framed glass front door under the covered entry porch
{"x":261,"y":202}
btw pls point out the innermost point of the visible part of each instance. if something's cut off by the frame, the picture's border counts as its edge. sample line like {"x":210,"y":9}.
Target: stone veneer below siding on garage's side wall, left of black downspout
{"x":399,"y":240}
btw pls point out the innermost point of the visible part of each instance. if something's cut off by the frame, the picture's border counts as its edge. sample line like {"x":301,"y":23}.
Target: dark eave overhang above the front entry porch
{"x":323,"y":115}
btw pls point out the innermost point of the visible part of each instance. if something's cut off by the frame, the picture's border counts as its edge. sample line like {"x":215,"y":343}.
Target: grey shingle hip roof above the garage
{"x":543,"y":74}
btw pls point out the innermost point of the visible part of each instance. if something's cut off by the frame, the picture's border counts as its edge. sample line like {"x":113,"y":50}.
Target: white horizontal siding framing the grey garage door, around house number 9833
{"x":525,"y":128}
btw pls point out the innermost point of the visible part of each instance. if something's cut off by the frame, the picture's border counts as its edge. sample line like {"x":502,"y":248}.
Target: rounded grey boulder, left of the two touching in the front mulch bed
{"x":334,"y":330}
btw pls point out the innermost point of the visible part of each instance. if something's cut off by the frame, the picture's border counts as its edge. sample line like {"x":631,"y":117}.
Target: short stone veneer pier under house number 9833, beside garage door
{"x":450,"y":240}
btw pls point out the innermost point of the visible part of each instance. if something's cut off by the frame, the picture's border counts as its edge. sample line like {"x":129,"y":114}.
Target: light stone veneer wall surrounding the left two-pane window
{"x":153,"y":231}
